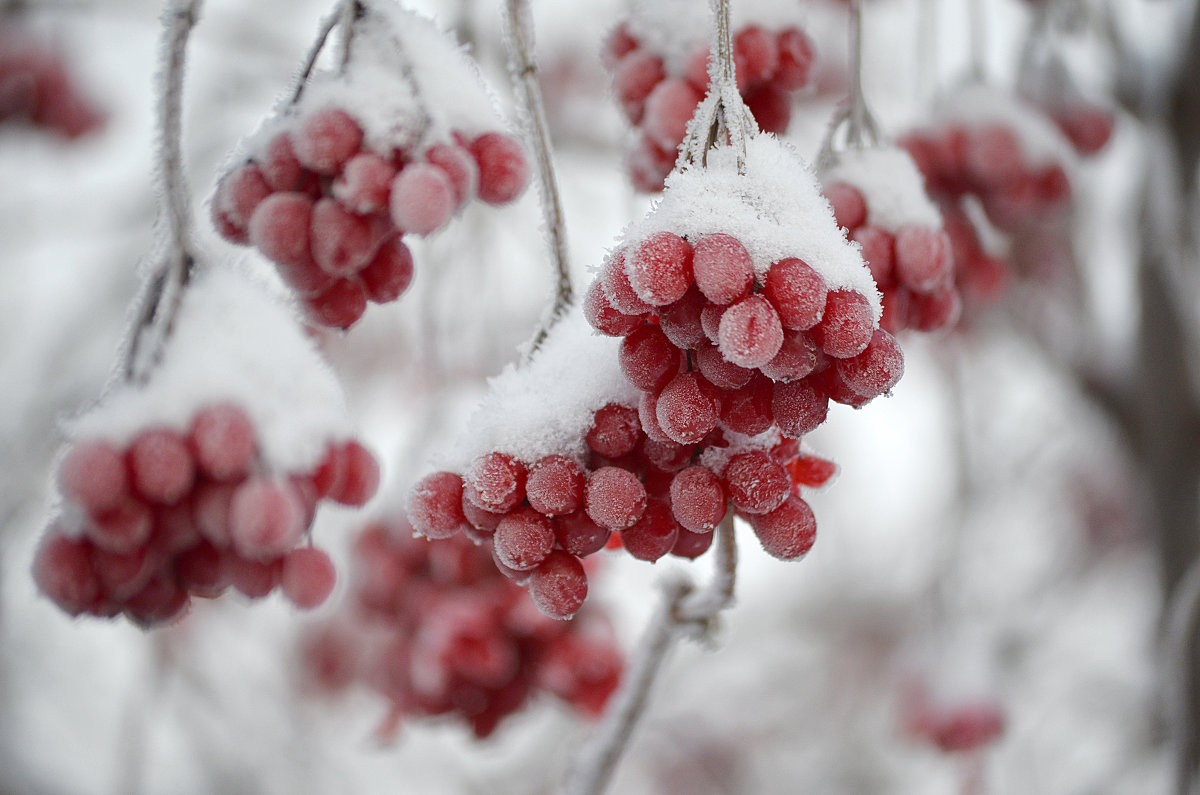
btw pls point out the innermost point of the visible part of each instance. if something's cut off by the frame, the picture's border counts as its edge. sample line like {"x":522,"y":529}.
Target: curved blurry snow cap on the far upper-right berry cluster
{"x":980,"y":106}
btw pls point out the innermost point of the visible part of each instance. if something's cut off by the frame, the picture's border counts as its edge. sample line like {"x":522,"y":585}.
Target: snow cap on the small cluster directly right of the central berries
{"x":890,"y":182}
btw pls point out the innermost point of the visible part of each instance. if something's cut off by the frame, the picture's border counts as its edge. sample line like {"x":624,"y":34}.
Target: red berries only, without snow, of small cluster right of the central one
{"x":913,"y":266}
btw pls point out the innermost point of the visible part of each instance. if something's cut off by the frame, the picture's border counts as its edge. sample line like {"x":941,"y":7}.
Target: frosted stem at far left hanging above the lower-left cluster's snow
{"x":165,"y":292}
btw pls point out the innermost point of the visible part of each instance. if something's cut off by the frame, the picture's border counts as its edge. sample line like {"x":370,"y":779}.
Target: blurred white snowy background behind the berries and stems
{"x":982,"y":534}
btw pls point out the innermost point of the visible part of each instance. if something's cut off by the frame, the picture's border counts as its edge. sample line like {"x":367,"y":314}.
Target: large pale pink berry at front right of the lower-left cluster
{"x":266,"y":519}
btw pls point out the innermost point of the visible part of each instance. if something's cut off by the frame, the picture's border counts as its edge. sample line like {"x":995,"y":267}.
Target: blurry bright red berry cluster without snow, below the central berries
{"x":436,"y":630}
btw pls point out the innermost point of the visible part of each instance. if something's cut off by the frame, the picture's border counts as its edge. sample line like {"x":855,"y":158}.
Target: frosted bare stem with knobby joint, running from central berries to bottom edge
{"x":683,"y":611}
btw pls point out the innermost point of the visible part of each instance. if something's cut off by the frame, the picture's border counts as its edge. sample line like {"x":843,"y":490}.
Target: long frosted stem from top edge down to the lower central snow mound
{"x":524,"y":69}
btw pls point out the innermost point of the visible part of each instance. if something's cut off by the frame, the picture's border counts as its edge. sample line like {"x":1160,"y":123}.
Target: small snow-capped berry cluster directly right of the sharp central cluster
{"x":879,"y":198}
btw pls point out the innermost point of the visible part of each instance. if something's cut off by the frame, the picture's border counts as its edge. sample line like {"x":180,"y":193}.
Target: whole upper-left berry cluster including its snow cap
{"x":331,"y":187}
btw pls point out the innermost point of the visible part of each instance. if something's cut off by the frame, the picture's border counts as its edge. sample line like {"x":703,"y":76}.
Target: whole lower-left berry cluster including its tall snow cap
{"x":209,"y":475}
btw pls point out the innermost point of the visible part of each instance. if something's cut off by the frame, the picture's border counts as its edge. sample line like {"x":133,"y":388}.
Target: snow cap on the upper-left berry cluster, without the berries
{"x":407,"y":83}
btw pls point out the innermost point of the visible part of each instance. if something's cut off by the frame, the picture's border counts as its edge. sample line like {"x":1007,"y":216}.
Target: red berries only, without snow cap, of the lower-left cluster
{"x":171,"y":516}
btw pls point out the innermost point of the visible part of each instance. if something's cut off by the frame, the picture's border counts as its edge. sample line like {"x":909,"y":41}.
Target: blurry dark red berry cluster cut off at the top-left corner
{"x":37,"y":87}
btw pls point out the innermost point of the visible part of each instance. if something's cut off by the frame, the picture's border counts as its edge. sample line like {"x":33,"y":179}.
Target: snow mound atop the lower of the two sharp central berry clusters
{"x":548,"y":405}
